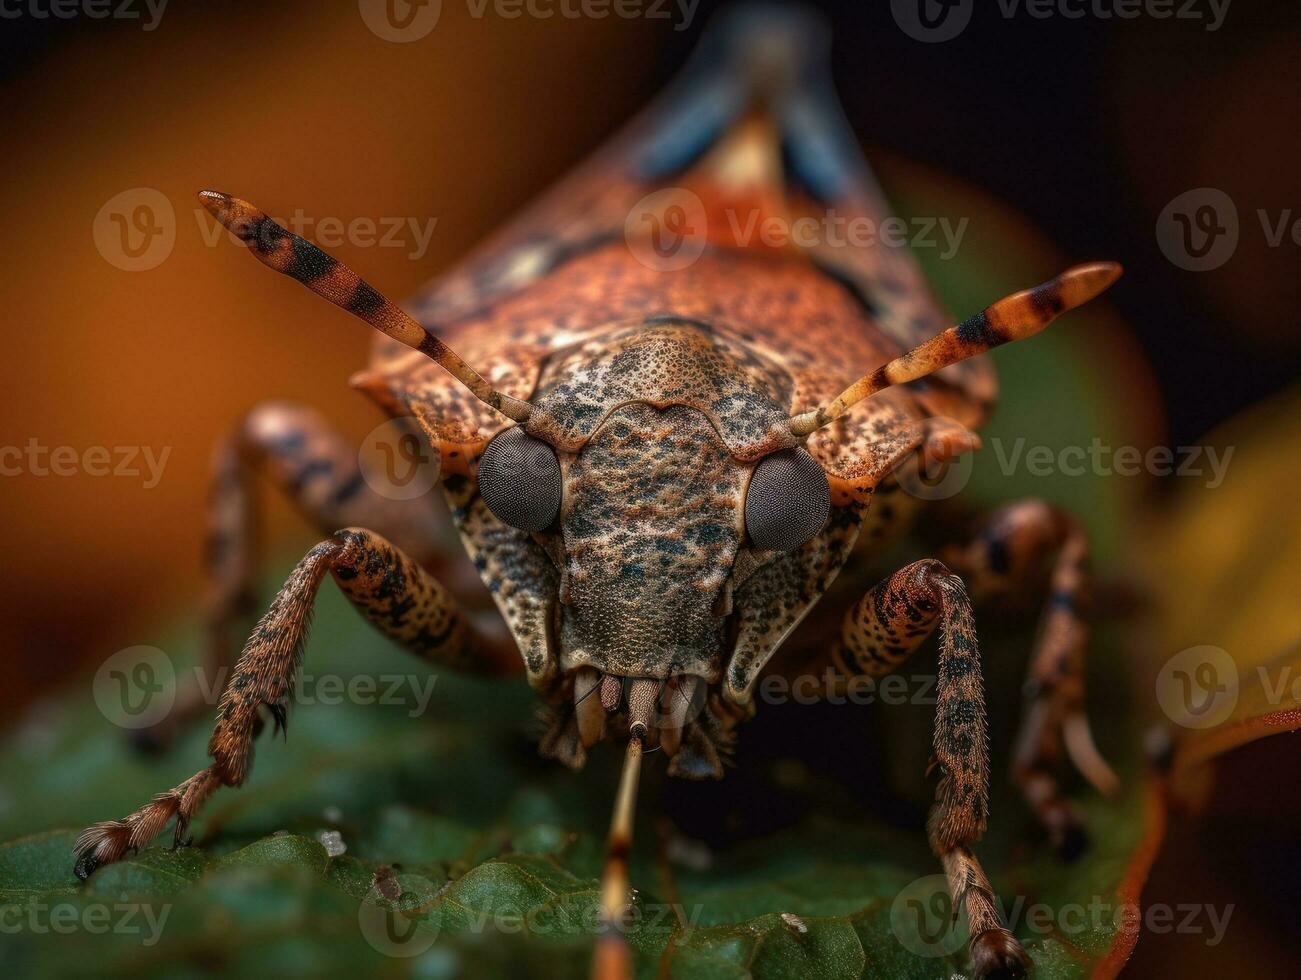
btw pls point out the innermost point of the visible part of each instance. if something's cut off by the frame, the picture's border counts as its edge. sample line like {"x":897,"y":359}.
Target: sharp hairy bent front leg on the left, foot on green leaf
{"x":388,"y":588}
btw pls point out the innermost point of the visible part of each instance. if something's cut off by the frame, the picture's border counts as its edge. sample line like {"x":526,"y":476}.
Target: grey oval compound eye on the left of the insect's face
{"x":520,"y":480}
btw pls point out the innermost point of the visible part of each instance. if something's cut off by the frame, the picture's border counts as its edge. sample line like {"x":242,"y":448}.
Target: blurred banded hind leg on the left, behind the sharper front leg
{"x":317,"y":468}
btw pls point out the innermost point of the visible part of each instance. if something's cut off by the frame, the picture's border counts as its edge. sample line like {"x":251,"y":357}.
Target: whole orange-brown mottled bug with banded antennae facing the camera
{"x":659,"y":447}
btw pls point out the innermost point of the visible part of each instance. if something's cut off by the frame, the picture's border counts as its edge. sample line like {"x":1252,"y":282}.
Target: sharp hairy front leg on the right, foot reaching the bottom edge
{"x":879,"y":633}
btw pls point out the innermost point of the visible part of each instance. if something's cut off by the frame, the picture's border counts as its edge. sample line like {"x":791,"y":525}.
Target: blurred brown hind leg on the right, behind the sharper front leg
{"x":1008,"y":559}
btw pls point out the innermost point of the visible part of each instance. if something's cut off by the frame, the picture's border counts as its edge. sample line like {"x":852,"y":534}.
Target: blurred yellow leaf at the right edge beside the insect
{"x":1225,"y":563}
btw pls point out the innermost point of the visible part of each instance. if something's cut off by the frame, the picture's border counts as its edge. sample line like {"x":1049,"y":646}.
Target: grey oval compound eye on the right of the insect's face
{"x":788,"y":502}
